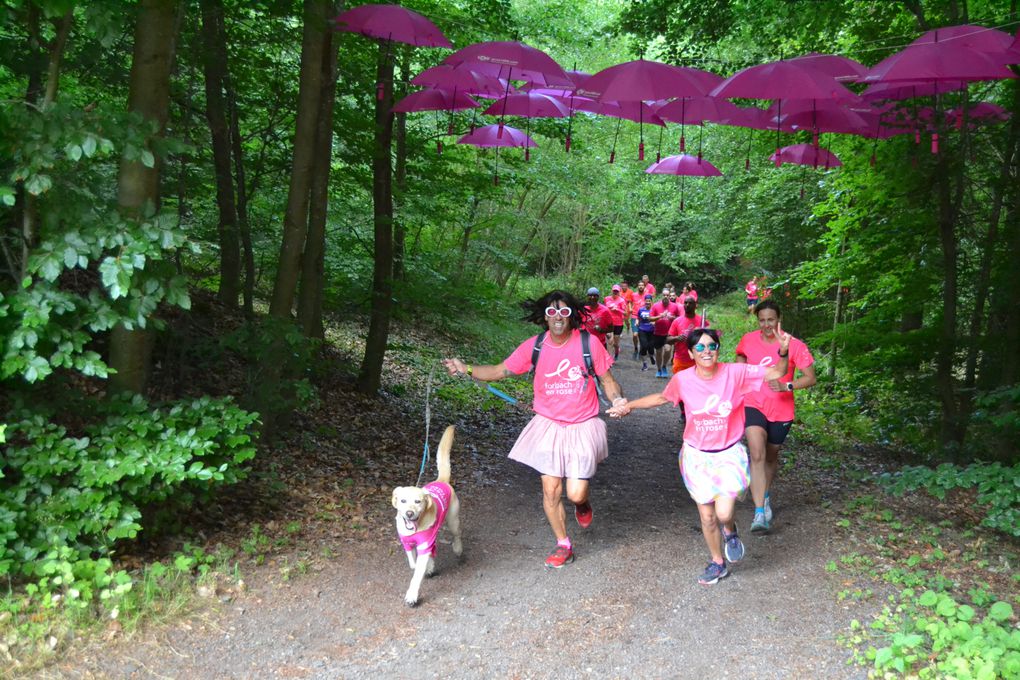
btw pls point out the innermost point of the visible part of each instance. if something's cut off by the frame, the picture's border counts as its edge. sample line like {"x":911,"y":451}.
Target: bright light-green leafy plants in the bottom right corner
{"x":932,"y":636}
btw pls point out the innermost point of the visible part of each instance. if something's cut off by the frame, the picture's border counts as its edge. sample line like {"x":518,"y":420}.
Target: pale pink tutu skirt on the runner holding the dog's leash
{"x":572,"y":451}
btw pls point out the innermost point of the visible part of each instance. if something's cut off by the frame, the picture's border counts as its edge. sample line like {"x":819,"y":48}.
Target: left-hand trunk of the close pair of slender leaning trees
{"x":296,"y":218}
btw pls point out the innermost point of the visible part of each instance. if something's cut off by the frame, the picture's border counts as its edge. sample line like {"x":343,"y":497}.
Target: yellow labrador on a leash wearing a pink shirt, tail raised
{"x":421,"y":513}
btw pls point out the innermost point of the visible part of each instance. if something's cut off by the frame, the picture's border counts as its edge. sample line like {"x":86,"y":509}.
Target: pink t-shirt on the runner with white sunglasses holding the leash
{"x":562,"y":391}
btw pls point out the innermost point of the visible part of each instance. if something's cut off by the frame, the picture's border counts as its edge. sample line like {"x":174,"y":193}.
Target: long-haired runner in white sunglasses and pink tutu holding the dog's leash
{"x":567,"y":440}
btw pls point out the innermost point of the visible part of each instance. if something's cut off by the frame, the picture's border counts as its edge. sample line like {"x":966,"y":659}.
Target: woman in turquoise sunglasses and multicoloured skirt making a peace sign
{"x":713,"y":462}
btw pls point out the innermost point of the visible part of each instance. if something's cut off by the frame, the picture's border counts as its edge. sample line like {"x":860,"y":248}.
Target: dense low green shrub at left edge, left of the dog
{"x":69,"y":498}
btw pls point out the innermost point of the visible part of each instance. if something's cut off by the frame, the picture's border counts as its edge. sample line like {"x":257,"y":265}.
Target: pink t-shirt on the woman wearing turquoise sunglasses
{"x":715,"y":409}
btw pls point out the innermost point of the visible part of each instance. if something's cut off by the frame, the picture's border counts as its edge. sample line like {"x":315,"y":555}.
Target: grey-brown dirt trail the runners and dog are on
{"x":630,"y":606}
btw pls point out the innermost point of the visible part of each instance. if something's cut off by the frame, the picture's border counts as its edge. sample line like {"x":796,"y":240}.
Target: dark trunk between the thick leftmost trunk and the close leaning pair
{"x":215,"y":66}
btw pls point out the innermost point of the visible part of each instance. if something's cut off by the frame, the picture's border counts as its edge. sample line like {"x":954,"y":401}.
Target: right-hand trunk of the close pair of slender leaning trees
{"x":311,"y":296}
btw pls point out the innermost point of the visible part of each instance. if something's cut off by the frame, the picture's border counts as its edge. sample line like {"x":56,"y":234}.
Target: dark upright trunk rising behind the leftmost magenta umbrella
{"x":379,"y":326}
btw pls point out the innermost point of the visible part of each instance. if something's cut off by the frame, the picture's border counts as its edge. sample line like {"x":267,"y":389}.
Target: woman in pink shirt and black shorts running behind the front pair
{"x":770,"y":412}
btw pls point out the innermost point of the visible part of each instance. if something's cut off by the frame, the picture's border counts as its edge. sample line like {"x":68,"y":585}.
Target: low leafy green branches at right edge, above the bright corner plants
{"x":998,"y":489}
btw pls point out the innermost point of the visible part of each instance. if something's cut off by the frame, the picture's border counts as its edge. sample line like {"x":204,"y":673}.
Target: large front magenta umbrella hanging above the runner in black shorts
{"x":783,"y":80}
